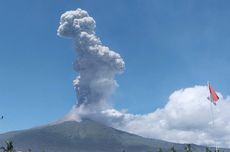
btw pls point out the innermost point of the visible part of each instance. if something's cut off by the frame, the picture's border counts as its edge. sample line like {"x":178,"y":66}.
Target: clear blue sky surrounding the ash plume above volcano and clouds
{"x":167,"y":45}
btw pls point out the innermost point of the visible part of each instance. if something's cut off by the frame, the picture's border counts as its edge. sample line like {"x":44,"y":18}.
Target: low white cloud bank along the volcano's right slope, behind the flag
{"x":186,"y":118}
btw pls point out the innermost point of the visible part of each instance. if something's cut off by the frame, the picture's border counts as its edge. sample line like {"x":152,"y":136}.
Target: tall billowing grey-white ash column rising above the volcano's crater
{"x":95,"y":63}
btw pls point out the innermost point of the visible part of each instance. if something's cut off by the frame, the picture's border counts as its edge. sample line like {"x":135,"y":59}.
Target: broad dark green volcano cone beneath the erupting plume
{"x":85,"y":136}
